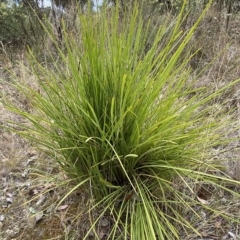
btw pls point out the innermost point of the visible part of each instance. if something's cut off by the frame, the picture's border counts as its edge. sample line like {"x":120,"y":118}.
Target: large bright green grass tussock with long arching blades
{"x":126,"y":123}
